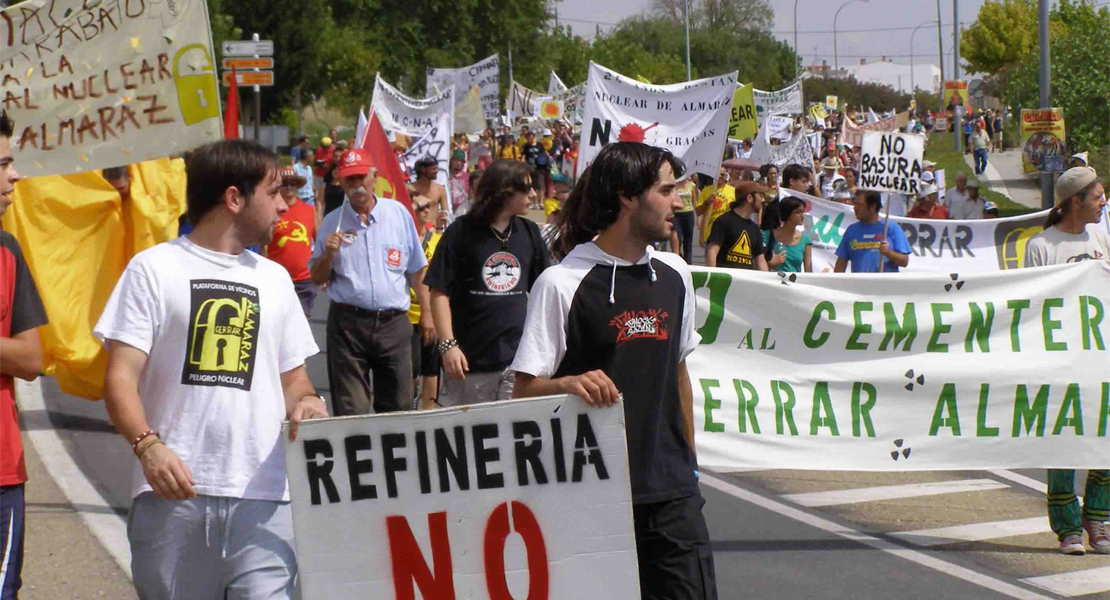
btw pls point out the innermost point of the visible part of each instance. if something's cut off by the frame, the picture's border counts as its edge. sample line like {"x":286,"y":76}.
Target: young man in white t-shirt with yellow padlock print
{"x":207,"y":344}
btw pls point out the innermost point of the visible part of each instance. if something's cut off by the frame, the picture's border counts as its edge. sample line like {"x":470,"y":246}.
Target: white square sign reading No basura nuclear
{"x":892,"y":162}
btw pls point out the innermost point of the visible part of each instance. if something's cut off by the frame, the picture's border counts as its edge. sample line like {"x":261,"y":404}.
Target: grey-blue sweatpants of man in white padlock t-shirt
{"x":211,"y":548}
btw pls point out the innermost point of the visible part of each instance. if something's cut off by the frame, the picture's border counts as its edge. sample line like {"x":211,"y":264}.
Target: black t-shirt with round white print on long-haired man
{"x":487,"y":282}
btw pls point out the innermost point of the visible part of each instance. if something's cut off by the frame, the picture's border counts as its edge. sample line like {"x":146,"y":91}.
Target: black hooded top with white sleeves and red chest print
{"x":639,"y":340}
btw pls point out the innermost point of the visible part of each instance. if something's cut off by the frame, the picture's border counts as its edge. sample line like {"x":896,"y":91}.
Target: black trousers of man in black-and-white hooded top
{"x":674,"y":553}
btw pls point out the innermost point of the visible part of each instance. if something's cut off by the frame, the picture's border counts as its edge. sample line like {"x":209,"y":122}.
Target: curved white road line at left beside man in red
{"x":110,"y":528}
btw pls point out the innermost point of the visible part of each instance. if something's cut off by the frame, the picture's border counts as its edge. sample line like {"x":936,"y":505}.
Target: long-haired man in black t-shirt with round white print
{"x":482,"y":271}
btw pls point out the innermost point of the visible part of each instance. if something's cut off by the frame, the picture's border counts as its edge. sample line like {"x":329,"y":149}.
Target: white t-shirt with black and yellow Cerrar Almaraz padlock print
{"x":219,"y":330}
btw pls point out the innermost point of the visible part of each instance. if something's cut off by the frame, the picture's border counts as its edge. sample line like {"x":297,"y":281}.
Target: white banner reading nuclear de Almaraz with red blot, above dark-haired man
{"x":689,"y":119}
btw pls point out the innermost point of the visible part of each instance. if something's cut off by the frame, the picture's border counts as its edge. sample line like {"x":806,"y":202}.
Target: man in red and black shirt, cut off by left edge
{"x":22,"y":314}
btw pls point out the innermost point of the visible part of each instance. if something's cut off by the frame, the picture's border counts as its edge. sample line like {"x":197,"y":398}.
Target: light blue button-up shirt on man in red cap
{"x":371,"y":270}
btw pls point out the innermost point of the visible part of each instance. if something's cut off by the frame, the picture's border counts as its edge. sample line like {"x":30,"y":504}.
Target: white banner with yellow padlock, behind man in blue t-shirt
{"x":936,"y":246}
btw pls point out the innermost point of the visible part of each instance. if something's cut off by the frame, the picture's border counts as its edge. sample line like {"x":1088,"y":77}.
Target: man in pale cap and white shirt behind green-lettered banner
{"x":1081,"y":200}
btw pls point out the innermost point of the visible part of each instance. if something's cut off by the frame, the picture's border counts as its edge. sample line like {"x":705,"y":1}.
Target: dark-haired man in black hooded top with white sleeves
{"x":614,"y":322}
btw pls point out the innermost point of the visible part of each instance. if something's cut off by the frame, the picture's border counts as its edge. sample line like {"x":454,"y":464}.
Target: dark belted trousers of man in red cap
{"x":360,"y":342}
